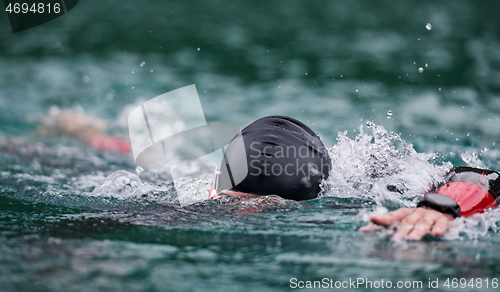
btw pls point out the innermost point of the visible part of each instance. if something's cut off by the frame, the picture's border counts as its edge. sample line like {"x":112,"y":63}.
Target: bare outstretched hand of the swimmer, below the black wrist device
{"x":412,"y":223}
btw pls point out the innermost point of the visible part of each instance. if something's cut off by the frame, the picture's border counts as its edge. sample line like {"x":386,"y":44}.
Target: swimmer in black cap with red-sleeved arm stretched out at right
{"x":286,"y":158}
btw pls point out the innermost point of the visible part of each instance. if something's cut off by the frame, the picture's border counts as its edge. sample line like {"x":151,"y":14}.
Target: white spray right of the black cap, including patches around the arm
{"x":383,"y":168}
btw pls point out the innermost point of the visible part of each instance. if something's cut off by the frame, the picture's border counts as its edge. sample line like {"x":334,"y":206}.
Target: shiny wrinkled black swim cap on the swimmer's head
{"x":284,"y":157}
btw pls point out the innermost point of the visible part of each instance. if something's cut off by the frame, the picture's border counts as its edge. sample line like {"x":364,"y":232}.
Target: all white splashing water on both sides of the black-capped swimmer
{"x":378,"y":167}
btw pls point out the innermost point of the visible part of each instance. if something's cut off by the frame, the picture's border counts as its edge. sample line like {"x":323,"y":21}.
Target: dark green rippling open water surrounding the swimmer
{"x":333,"y":64}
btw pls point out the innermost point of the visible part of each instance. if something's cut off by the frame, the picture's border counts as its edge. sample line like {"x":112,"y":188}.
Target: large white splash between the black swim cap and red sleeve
{"x":381,"y":166}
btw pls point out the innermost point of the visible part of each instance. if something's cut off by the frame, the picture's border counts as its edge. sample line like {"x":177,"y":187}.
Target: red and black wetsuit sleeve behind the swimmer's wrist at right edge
{"x":474,"y":191}
